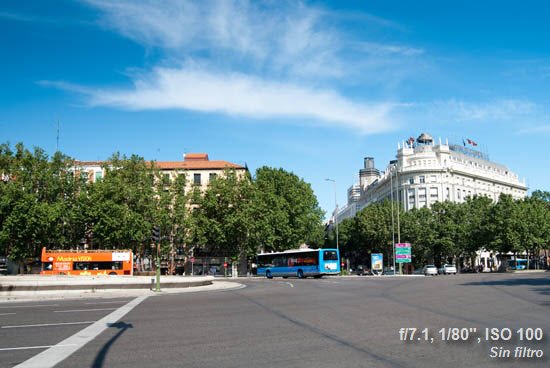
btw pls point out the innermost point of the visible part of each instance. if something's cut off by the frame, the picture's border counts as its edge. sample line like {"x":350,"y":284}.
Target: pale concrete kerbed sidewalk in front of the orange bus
{"x":33,"y":287}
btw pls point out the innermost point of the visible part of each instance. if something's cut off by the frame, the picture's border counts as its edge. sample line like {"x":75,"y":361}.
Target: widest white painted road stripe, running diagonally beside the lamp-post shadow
{"x":58,"y":353}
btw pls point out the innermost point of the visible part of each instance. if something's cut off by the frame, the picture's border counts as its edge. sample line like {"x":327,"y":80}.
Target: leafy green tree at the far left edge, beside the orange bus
{"x":39,"y":203}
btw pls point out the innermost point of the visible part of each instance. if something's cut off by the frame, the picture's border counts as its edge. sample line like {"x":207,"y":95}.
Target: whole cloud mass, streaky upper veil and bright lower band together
{"x":253,"y":59}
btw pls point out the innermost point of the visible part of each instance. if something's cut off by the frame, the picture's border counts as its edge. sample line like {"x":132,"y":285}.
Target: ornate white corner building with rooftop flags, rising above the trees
{"x":425,"y":173}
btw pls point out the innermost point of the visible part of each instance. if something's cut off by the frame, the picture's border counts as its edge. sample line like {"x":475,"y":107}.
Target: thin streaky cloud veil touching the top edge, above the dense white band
{"x":282,"y":37}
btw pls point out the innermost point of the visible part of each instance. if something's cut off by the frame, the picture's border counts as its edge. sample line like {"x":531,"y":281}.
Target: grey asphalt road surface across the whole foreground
{"x":343,"y":322}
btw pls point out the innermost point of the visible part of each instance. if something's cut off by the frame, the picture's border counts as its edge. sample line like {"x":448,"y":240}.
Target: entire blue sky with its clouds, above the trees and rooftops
{"x":312,"y":87}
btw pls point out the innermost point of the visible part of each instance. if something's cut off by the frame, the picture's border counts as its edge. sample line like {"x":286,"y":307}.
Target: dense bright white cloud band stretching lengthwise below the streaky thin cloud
{"x":239,"y":94}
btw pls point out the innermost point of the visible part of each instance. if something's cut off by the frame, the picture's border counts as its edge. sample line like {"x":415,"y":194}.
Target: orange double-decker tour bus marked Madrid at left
{"x":86,"y":262}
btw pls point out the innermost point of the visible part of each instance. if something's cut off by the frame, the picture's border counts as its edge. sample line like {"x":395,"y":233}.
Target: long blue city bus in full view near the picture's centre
{"x":300,"y":263}
